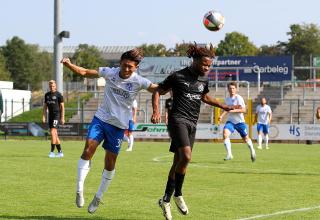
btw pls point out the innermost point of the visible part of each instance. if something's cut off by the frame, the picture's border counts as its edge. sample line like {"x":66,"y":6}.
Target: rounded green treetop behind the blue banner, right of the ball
{"x":236,"y":44}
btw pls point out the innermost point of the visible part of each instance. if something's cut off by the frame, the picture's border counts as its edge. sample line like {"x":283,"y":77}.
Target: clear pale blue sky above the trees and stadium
{"x":132,"y":23}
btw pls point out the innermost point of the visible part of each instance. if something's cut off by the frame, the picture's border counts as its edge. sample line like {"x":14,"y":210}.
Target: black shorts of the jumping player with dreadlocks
{"x":182,"y":134}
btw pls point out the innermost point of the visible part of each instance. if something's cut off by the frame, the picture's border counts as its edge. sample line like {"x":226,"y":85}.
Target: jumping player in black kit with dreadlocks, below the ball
{"x":189,"y":87}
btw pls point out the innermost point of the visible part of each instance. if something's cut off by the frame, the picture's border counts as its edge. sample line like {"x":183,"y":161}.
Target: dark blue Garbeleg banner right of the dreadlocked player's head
{"x":272,"y":68}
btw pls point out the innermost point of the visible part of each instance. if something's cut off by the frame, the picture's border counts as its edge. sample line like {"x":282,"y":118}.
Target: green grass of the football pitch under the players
{"x":287,"y":177}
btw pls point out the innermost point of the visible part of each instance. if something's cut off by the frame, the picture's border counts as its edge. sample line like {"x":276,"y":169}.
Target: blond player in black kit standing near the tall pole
{"x":53,"y":102}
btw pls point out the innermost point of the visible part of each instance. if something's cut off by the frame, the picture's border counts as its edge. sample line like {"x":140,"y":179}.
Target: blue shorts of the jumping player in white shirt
{"x":112,"y":136}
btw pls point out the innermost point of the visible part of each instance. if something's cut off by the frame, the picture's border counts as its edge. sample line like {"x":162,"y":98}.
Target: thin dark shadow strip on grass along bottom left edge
{"x":58,"y":218}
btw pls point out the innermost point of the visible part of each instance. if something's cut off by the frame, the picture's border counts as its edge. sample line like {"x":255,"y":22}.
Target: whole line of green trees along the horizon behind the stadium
{"x":27,"y":66}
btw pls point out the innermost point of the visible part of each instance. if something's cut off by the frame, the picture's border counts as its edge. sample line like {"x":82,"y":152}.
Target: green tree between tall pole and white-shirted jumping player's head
{"x":87,"y":57}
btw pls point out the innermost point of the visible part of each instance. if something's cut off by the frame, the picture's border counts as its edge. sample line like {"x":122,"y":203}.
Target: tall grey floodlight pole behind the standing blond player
{"x":57,"y":46}
